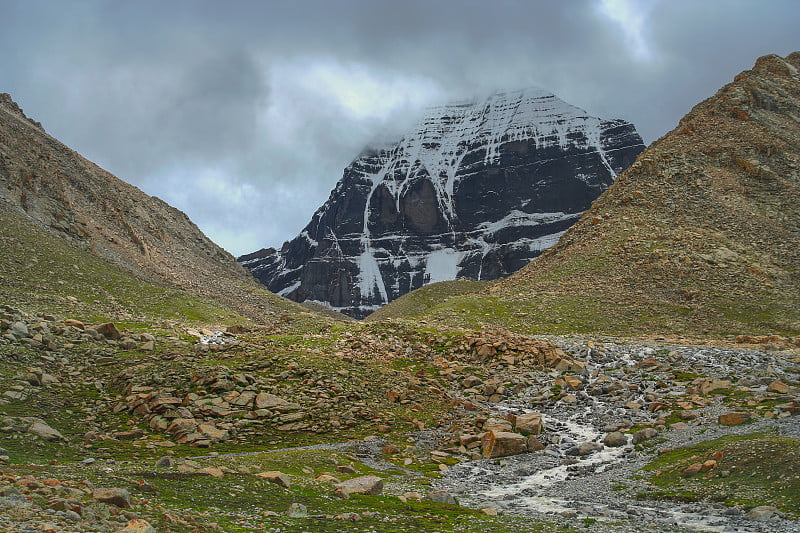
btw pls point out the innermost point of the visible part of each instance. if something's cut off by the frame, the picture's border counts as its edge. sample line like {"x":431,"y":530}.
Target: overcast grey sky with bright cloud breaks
{"x":243,"y":113}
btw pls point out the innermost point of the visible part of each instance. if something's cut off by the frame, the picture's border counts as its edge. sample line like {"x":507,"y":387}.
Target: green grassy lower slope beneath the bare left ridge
{"x":42,"y":272}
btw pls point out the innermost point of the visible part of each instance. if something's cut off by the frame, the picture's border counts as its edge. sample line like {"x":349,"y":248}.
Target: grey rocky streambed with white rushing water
{"x":680,"y":393}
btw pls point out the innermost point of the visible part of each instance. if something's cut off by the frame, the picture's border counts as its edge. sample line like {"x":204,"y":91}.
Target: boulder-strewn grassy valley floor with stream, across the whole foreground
{"x":311,"y":424}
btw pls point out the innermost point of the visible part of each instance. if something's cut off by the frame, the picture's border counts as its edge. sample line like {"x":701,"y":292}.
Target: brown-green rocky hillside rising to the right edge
{"x":701,"y":234}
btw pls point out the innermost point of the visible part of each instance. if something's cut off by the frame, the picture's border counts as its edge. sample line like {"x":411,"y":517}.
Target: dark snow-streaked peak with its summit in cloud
{"x":477,"y":189}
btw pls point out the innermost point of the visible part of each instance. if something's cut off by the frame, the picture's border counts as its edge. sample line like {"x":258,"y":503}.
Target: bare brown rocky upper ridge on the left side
{"x":53,"y":186}
